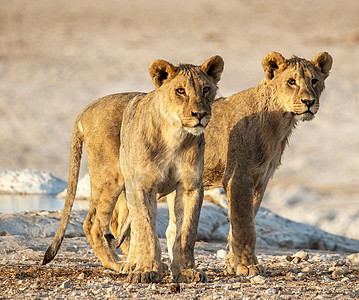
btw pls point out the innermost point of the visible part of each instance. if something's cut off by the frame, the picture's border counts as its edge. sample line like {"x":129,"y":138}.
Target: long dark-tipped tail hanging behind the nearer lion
{"x":75,"y":160}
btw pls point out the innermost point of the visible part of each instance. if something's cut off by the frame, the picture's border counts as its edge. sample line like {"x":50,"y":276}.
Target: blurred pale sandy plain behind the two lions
{"x":56,"y":57}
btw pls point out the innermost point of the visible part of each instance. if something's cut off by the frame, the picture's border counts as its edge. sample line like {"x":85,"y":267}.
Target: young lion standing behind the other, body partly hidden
{"x":245,"y":140}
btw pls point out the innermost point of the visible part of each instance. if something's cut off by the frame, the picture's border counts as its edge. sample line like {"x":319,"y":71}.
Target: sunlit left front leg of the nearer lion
{"x":144,"y":257}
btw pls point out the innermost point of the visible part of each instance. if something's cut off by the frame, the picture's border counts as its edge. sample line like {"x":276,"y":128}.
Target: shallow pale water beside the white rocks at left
{"x":16,"y":203}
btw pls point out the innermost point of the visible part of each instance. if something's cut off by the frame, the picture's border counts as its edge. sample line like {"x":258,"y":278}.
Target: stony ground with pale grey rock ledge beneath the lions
{"x":76,"y":273}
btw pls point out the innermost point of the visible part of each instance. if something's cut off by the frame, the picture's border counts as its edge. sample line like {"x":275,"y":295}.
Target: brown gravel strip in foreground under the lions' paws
{"x":77,"y":274}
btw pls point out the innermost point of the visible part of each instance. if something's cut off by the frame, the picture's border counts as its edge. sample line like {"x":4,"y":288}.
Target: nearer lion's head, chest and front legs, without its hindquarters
{"x":162,"y":150}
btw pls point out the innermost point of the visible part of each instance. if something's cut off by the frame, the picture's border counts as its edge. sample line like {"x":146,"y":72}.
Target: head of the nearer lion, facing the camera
{"x":187,"y":91}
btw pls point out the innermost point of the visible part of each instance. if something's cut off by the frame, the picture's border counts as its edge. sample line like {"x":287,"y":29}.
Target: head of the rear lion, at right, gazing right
{"x":298,"y":82}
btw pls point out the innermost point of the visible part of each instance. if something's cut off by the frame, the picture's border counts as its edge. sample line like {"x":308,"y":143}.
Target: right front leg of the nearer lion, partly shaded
{"x":186,"y":207}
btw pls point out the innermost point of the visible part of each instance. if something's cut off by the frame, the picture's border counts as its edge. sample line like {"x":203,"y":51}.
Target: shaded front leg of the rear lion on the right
{"x":242,"y":235}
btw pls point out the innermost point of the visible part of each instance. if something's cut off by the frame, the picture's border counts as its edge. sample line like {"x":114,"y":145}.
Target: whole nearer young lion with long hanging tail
{"x":162,"y":150}
